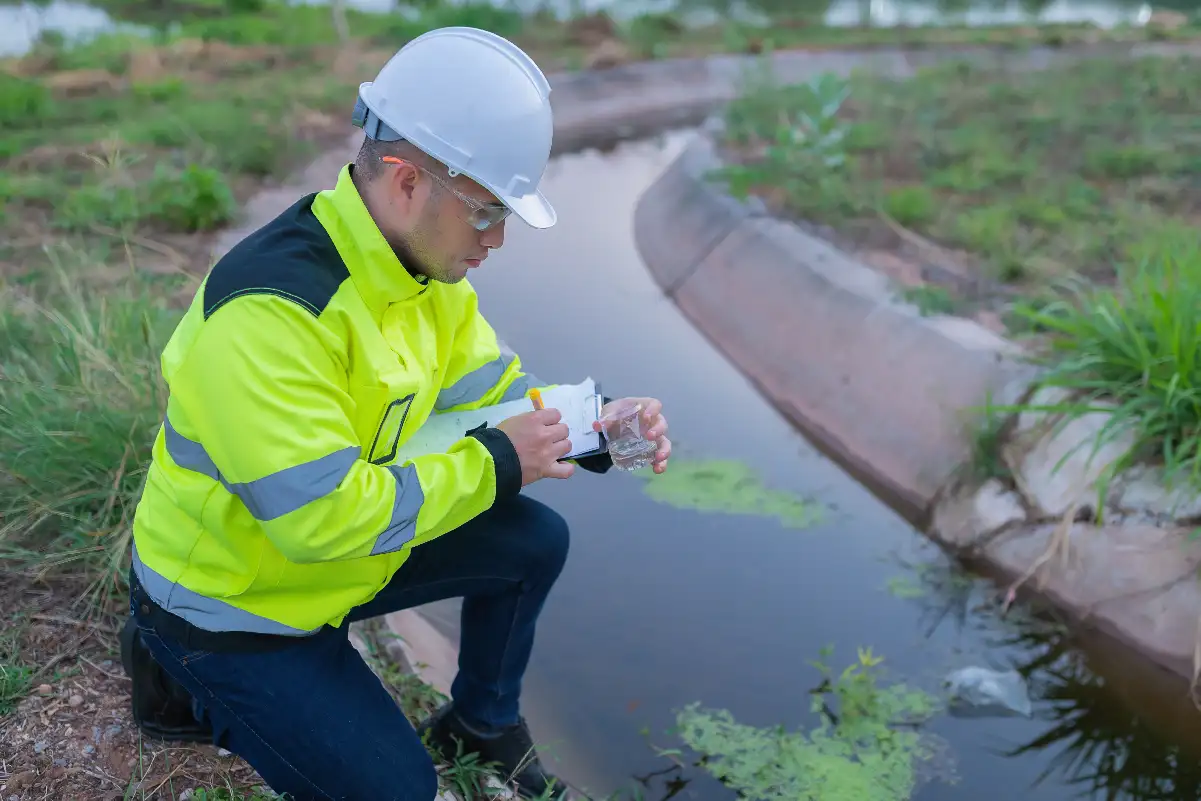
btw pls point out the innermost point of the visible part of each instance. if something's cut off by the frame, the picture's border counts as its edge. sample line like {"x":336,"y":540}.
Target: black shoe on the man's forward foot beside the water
{"x":511,"y":755}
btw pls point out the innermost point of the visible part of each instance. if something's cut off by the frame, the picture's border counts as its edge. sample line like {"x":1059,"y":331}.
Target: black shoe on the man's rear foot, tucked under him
{"x":163,"y":708}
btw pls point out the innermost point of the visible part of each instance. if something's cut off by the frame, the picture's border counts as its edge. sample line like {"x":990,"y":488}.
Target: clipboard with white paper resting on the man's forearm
{"x":579,"y":404}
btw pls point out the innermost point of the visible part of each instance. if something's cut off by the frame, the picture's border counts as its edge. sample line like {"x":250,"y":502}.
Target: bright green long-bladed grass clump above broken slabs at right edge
{"x":1139,"y":346}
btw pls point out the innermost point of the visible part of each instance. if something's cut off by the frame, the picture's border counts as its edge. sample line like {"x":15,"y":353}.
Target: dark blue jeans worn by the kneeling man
{"x":313,"y":719}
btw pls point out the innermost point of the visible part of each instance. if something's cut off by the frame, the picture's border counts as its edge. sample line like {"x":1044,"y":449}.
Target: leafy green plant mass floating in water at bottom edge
{"x":867,"y":745}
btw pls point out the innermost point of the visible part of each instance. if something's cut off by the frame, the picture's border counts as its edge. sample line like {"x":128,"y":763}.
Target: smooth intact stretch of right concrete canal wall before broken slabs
{"x":873,"y":382}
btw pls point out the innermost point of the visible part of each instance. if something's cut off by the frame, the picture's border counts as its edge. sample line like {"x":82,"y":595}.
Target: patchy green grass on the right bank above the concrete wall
{"x":1027,"y":178}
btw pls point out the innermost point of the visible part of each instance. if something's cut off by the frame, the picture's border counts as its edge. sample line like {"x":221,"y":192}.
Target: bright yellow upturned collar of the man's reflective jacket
{"x":378,"y":274}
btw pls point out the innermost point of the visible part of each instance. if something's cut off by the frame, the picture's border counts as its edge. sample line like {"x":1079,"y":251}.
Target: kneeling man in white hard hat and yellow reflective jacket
{"x":276,"y":512}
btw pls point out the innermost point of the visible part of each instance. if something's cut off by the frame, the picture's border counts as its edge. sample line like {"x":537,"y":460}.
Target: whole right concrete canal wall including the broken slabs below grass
{"x":885,"y":392}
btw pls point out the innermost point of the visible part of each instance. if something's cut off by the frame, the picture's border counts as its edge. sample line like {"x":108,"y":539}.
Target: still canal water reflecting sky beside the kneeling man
{"x":664,"y":605}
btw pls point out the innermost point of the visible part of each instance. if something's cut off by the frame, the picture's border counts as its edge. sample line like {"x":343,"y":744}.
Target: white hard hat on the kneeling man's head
{"x":474,"y":101}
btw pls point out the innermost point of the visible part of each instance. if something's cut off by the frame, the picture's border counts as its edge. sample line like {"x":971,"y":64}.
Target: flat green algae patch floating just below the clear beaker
{"x":728,"y":487}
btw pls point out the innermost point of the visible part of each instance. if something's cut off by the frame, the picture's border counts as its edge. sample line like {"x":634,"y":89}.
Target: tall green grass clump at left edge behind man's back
{"x":81,"y":400}
